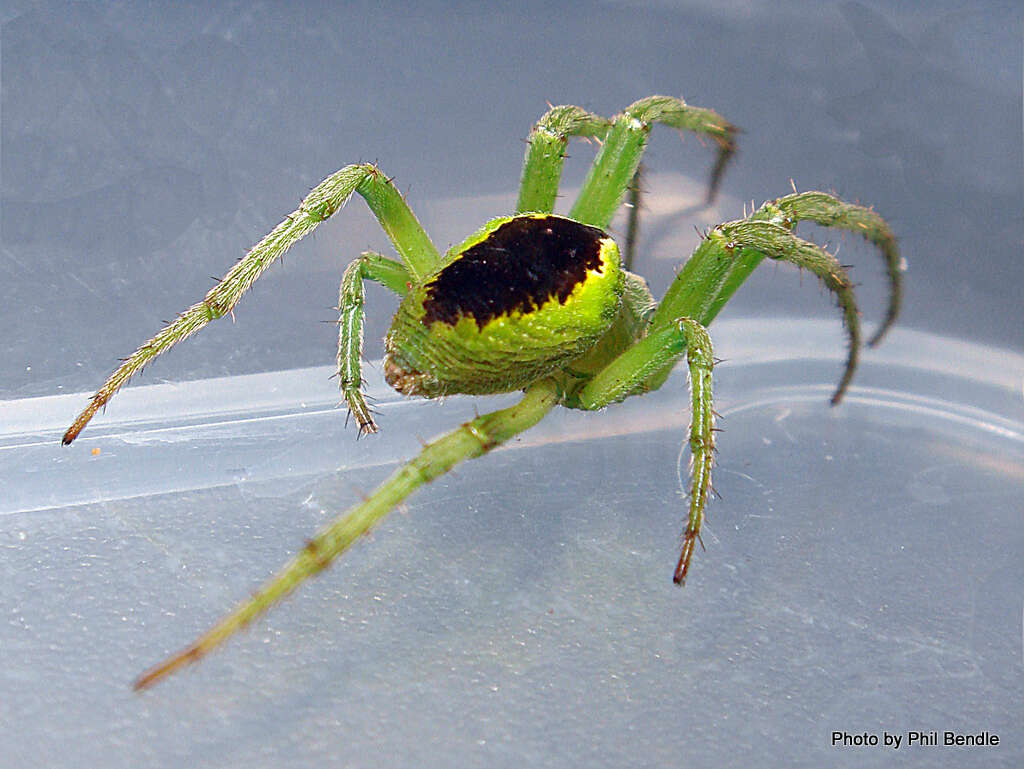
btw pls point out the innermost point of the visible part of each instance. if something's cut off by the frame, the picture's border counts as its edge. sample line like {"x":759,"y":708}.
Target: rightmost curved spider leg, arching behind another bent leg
{"x":830,"y":211}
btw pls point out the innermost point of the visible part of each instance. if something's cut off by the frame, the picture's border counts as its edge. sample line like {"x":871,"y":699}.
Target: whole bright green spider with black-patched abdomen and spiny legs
{"x":534,"y":303}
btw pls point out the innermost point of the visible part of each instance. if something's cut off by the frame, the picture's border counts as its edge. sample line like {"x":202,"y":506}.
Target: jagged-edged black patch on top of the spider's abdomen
{"x":520,"y":267}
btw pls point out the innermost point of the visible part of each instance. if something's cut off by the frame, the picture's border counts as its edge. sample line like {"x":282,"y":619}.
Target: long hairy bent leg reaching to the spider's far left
{"x":388,"y":205}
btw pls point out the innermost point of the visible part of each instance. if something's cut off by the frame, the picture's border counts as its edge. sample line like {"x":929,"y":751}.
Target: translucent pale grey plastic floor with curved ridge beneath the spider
{"x":863,"y":569}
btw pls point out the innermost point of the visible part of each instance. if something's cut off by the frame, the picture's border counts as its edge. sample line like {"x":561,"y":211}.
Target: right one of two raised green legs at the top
{"x":616,"y":165}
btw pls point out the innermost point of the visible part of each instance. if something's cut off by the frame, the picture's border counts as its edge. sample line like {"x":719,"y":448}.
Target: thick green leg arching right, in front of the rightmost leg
{"x":727,"y":258}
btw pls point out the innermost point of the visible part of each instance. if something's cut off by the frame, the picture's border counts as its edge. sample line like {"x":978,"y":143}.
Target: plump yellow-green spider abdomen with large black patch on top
{"x":519,"y":300}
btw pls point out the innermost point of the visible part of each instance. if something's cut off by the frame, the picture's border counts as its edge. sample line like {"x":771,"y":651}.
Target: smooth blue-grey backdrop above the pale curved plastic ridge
{"x":147,"y":147}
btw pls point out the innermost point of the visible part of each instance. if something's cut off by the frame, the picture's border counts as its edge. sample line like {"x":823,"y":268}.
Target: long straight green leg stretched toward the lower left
{"x":472,"y":440}
